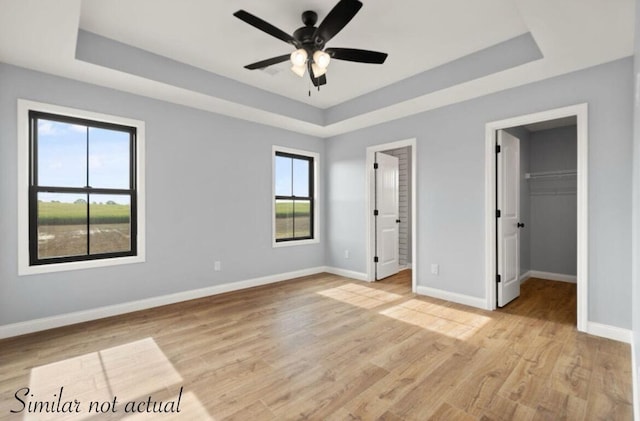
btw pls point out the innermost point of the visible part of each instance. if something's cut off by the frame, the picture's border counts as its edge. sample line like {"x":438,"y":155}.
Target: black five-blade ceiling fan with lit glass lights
{"x":310,"y":54}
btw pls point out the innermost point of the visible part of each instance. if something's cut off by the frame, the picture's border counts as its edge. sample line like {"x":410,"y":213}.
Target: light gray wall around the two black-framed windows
{"x":208,"y":198}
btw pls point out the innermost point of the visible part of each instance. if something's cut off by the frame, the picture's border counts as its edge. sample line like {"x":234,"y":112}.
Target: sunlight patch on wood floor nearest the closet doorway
{"x":437,"y":318}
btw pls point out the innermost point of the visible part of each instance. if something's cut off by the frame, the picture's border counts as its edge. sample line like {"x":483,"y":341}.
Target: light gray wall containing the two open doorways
{"x":451,"y":192}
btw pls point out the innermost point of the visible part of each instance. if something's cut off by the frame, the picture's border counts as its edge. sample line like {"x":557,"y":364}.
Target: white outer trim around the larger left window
{"x":24,"y":267}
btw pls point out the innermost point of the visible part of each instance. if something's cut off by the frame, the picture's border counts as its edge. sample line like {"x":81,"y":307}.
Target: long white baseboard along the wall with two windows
{"x":44,"y":323}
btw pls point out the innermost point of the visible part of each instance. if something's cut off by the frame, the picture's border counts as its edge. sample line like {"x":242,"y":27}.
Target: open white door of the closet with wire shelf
{"x":508,"y":160}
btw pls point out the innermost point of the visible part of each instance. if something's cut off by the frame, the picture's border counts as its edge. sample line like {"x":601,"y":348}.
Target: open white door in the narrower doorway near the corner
{"x":387,"y":222}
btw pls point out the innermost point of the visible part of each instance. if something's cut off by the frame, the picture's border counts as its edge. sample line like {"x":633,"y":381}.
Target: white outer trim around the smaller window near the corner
{"x":316,"y":197}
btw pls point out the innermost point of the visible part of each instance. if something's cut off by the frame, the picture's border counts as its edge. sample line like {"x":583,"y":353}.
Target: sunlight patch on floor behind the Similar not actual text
{"x":103,"y":383}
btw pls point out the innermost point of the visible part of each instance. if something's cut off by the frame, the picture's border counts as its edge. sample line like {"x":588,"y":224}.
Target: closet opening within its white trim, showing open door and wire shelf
{"x":536,"y":185}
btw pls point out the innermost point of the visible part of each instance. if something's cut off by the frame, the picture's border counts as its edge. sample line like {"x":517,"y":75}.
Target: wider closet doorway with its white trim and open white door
{"x":552,"y":231}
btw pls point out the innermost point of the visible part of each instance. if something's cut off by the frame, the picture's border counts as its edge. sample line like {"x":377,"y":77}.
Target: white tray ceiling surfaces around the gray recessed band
{"x":417,"y":34}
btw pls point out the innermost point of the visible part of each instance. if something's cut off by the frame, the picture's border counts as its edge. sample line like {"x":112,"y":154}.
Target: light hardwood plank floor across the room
{"x":328,"y":348}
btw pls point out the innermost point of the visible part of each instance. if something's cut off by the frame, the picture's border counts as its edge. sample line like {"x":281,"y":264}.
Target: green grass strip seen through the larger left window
{"x":52,"y":213}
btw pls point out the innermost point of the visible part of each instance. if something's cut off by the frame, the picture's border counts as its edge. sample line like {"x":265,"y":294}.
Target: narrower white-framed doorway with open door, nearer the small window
{"x":401,"y":251}
